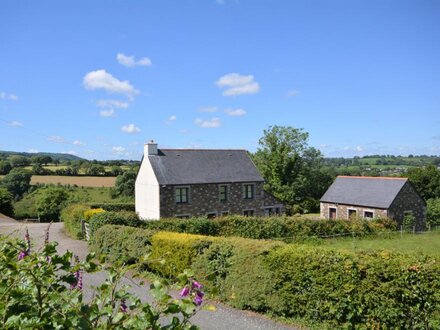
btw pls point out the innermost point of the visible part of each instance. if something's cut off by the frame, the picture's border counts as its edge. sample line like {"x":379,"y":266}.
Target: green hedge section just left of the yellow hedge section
{"x":123,"y":244}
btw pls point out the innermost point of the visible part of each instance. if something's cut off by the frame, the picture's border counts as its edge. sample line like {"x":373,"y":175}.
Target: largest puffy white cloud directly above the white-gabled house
{"x":237,"y":84}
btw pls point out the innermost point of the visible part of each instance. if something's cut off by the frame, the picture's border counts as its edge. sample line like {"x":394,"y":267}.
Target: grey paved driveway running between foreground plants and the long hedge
{"x":223,"y":318}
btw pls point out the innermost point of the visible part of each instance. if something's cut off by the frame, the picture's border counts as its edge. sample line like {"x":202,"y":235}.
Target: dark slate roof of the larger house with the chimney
{"x":198,"y":166}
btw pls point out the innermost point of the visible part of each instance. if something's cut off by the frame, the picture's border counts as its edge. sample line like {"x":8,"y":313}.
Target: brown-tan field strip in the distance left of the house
{"x":80,"y":181}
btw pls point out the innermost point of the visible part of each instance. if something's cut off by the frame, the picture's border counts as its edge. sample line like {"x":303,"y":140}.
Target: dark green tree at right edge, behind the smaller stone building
{"x":426,"y":180}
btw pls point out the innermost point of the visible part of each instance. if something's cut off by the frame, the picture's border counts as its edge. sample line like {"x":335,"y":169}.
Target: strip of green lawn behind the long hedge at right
{"x":427,"y":243}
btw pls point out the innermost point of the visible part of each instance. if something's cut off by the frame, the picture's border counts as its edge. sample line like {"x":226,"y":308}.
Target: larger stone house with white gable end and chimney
{"x":198,"y":182}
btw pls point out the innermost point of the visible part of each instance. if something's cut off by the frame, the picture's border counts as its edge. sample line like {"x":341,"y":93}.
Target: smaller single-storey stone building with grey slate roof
{"x":370,"y":197}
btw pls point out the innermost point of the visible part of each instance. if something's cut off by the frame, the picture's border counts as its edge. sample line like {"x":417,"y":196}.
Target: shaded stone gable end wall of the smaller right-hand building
{"x":408,"y":200}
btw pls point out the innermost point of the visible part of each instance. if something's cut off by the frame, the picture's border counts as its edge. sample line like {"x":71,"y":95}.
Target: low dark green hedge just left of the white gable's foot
{"x":123,"y":218}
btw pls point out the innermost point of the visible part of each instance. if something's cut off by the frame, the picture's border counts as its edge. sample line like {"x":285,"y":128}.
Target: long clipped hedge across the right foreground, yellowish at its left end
{"x":373,"y":289}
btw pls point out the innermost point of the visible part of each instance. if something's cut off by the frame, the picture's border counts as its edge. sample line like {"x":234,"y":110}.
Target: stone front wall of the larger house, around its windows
{"x":205,"y":199}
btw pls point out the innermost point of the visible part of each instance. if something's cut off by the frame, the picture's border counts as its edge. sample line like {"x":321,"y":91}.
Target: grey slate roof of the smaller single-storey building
{"x":377,"y":192}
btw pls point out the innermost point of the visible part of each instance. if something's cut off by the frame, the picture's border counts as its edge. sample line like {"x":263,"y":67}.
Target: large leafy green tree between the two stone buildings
{"x":293,"y":170}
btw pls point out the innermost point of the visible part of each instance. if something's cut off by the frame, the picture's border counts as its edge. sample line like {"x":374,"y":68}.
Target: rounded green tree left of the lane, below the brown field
{"x":50,"y":203}
